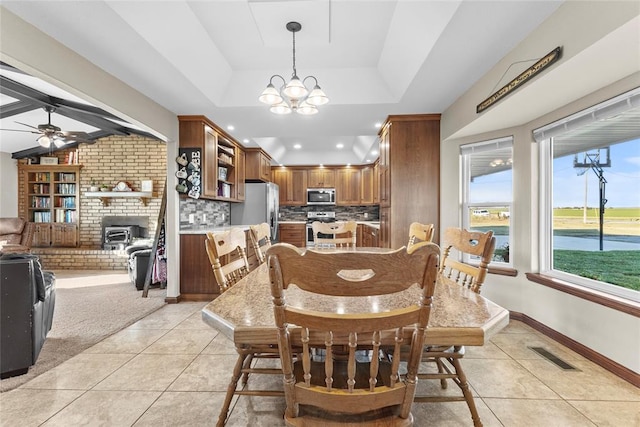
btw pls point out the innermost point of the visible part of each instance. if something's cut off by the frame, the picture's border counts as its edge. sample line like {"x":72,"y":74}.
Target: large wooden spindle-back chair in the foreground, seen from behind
{"x":362,"y":388}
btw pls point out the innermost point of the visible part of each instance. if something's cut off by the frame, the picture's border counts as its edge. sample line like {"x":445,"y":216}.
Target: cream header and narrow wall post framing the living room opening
{"x":28,"y":49}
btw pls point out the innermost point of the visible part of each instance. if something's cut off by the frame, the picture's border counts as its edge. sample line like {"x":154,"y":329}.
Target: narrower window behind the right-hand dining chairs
{"x":487,"y":193}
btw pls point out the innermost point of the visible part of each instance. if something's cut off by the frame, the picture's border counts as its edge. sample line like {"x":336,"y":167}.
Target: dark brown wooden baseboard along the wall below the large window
{"x":597,"y":358}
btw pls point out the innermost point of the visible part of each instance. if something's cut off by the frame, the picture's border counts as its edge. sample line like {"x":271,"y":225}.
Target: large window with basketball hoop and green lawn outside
{"x":590,"y":216}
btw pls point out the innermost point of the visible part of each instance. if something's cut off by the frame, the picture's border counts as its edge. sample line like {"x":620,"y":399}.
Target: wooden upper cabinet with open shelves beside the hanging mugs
{"x":222,"y":160}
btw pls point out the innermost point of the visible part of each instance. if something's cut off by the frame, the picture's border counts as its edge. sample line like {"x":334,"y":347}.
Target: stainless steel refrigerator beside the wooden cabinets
{"x":260,"y":205}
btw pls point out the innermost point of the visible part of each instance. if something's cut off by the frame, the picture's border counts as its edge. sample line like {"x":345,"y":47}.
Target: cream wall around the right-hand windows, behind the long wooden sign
{"x":611,"y":333}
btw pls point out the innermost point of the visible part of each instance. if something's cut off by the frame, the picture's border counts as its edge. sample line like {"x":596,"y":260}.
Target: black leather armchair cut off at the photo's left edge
{"x":27,"y":302}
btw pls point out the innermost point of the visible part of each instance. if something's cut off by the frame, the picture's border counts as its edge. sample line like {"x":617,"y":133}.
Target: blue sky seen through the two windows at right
{"x":621,"y":190}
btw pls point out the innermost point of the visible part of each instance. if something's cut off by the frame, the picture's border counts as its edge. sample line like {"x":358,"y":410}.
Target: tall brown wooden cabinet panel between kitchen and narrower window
{"x":409,"y":176}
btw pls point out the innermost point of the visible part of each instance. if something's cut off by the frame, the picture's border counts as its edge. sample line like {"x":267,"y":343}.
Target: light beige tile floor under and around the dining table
{"x":171,"y":369}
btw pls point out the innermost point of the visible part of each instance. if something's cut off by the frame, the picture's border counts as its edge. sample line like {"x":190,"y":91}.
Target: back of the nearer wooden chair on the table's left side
{"x":227,"y":253}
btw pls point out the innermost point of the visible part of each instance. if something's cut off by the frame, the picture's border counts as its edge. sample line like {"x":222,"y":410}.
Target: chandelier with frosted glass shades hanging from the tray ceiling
{"x":293,"y":96}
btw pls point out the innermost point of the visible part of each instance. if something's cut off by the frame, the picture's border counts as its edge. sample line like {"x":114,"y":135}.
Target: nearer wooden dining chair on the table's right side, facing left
{"x":457,"y":244}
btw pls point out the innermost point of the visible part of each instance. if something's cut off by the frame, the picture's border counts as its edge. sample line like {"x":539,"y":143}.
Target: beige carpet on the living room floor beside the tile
{"x":90,"y":306}
